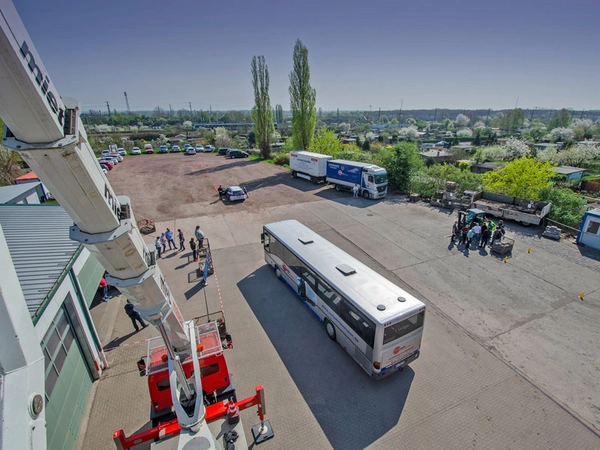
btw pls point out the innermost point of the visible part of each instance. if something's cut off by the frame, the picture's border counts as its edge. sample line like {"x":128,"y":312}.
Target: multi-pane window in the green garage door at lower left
{"x":56,"y":345}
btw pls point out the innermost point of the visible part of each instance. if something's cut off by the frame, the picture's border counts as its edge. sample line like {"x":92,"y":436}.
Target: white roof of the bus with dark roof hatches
{"x":368,"y":290}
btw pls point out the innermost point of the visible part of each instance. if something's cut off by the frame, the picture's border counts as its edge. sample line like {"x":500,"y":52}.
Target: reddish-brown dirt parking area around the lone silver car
{"x":167,"y":186}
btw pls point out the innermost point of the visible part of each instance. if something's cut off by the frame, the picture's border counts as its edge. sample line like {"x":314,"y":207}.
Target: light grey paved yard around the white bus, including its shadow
{"x":509,"y":358}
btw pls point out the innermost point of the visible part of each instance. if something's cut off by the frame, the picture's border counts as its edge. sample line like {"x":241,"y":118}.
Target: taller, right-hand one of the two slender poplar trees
{"x":303,"y":98}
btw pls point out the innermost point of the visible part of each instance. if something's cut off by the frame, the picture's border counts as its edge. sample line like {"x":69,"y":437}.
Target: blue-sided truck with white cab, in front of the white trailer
{"x":371,"y":179}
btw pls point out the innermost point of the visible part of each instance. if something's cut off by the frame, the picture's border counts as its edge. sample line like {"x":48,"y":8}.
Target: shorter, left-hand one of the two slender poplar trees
{"x":262,"y":114}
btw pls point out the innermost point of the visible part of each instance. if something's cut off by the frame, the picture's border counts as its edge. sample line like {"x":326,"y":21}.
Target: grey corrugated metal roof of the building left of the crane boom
{"x":39,"y":245}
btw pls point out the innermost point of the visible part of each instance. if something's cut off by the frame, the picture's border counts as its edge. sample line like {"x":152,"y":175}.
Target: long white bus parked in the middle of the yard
{"x":378,"y":324}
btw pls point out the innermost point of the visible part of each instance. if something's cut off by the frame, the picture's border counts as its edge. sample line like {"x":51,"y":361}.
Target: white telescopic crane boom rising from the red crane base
{"x":48,"y":133}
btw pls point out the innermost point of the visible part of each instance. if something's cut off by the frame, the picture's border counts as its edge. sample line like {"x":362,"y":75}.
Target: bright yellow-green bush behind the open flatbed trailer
{"x":524,"y":178}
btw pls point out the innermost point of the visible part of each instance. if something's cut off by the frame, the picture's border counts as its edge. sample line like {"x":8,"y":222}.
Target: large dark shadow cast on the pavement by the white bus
{"x":352,"y":409}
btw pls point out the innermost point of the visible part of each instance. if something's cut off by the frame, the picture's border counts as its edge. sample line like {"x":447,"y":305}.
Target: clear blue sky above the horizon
{"x":363,"y":55}
